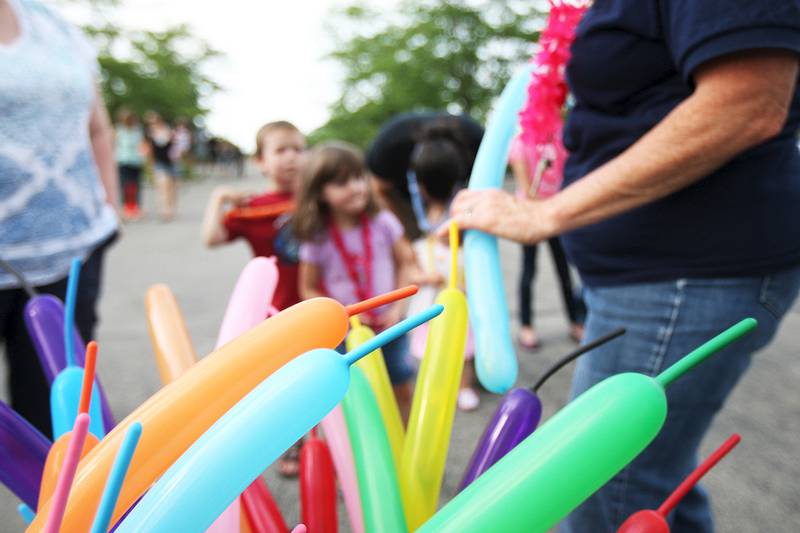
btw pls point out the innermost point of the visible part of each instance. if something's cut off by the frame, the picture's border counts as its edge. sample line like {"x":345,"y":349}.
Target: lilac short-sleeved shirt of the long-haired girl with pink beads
{"x":385,"y":229}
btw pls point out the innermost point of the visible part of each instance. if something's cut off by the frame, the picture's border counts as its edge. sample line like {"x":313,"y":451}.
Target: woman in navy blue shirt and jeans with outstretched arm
{"x":679,"y":209}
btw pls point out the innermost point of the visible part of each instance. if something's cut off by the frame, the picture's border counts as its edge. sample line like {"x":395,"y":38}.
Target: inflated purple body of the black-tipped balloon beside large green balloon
{"x":514,"y":420}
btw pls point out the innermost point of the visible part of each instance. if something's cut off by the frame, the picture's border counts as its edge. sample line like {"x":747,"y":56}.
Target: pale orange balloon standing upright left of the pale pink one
{"x":171,"y":342}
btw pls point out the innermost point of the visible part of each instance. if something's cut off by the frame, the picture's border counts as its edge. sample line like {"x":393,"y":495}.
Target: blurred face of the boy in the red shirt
{"x":282,"y":158}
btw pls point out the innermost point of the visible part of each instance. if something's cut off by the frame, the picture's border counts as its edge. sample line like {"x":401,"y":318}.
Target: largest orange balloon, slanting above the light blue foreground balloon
{"x":177,"y":415}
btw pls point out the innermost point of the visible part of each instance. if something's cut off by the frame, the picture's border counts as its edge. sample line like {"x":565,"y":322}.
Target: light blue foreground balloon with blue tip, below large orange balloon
{"x":247,"y":439}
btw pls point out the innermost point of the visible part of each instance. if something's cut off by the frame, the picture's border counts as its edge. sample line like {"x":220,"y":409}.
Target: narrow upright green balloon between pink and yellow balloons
{"x":372,"y":454}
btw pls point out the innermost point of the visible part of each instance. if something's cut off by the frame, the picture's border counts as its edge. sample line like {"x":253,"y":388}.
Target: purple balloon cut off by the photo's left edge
{"x":23,"y":452}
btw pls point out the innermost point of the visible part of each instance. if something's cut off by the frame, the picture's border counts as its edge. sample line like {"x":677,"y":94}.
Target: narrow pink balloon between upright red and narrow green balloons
{"x":335,"y":430}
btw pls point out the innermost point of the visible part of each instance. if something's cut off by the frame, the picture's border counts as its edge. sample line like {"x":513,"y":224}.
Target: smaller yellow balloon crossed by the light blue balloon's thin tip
{"x":374,"y":368}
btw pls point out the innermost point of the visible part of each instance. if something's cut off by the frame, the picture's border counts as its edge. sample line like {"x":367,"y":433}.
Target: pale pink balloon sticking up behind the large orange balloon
{"x":248,"y":306}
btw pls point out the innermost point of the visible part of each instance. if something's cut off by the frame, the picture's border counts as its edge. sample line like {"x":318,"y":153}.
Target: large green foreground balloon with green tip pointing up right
{"x":573,"y":454}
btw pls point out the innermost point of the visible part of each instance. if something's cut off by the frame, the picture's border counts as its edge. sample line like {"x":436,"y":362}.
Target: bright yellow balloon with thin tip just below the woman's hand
{"x":433,"y":408}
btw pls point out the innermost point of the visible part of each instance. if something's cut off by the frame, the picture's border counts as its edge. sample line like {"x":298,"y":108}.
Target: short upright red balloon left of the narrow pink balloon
{"x":317,"y":486}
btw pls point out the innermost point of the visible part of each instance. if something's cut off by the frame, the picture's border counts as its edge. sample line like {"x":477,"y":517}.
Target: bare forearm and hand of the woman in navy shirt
{"x":739,"y":102}
